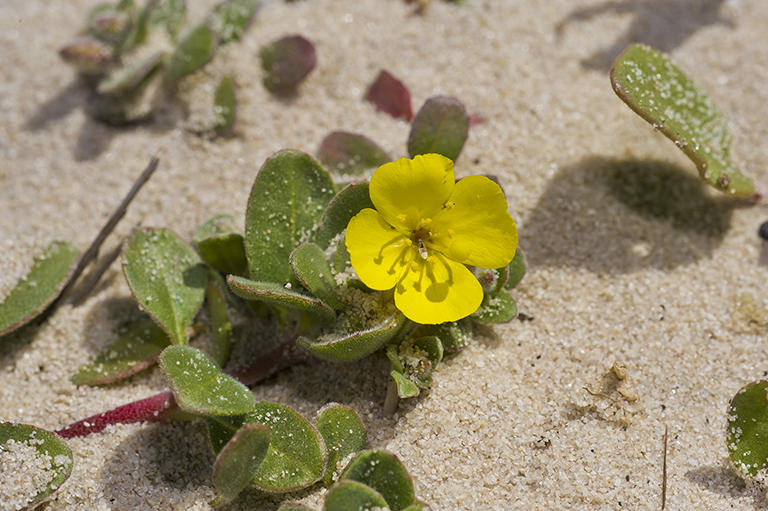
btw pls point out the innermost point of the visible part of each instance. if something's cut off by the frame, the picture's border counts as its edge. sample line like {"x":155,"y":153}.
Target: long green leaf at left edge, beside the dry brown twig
{"x":50,"y":272}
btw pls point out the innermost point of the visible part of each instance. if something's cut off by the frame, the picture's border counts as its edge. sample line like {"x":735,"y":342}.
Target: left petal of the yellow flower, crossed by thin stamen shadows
{"x":376,"y":249}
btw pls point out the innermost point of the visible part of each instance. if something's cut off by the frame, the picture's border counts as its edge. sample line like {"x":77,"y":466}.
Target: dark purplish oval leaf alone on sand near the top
{"x":287,"y":62}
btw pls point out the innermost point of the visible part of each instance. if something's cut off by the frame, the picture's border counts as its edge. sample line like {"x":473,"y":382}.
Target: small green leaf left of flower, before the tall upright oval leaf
{"x":312,"y":269}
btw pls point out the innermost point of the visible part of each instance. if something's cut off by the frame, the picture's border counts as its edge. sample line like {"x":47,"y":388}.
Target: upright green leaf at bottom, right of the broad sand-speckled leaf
{"x":344,"y":435}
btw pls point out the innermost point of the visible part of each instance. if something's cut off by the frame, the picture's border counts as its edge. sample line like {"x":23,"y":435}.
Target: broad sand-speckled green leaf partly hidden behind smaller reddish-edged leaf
{"x":296,"y":456}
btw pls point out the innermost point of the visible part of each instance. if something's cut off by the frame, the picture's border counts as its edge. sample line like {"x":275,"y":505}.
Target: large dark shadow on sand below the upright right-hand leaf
{"x":619,"y":216}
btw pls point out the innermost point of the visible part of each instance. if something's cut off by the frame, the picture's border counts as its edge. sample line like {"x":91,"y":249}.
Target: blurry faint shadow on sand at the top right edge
{"x":662,"y":24}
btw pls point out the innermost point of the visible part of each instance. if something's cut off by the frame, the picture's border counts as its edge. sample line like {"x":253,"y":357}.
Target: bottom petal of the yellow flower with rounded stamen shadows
{"x":438,"y":291}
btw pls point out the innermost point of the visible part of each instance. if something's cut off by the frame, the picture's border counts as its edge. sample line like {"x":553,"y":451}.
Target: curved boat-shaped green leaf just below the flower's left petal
{"x":345,"y":346}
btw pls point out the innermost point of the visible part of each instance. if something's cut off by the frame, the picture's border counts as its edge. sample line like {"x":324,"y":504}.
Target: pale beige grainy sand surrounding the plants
{"x":631,"y":259}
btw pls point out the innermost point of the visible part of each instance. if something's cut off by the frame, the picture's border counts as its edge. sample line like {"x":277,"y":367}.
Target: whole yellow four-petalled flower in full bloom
{"x":425,"y":229}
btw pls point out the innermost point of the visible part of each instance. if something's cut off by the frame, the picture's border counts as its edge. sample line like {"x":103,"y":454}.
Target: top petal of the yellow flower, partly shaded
{"x":406,"y":191}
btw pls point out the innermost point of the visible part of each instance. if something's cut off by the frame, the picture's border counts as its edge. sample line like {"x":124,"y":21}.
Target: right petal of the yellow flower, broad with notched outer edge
{"x":477,"y":230}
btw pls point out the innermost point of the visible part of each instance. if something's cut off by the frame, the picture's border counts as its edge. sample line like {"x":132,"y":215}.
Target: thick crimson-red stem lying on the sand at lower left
{"x":151,"y":409}
